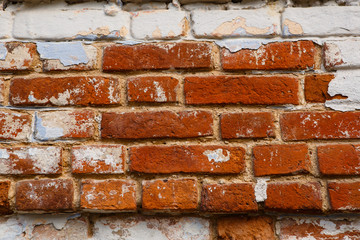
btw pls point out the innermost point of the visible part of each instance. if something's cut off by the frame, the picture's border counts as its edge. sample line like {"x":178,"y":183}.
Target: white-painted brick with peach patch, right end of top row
{"x":321,"y":21}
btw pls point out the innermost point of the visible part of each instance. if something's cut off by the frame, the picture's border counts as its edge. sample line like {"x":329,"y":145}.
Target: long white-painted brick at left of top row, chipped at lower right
{"x":53,"y":24}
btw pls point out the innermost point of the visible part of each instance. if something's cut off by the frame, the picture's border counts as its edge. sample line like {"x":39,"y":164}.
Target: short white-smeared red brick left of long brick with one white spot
{"x":99,"y":159}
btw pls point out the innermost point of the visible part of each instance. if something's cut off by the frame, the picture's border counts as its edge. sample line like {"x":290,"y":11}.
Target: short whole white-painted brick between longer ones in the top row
{"x":159,"y":24}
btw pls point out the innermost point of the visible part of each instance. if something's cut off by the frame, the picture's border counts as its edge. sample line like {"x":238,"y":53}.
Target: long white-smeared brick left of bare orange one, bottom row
{"x":151,"y":228}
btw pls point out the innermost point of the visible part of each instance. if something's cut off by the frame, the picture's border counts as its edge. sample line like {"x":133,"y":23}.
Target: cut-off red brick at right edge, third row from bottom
{"x":339,"y":159}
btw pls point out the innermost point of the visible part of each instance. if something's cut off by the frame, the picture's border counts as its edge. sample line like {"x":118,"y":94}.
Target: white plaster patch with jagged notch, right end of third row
{"x":347,"y":84}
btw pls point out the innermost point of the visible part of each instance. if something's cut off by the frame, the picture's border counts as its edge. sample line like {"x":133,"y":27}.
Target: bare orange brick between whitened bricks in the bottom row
{"x":242,"y":228}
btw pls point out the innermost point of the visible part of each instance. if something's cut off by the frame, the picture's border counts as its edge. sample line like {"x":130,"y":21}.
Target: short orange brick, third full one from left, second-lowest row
{"x":171,"y":194}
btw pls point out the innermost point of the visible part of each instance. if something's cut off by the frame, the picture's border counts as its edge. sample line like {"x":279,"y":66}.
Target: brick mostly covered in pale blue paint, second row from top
{"x":57,"y":56}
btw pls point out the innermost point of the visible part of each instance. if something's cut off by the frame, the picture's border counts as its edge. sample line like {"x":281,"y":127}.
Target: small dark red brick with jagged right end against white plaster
{"x":316,"y":87}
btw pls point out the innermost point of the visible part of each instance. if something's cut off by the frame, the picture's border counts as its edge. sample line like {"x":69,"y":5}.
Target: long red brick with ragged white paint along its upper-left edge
{"x":298,"y":55}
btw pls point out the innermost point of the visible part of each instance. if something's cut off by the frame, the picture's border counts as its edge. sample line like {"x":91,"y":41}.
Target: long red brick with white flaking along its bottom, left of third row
{"x":66,"y":91}
